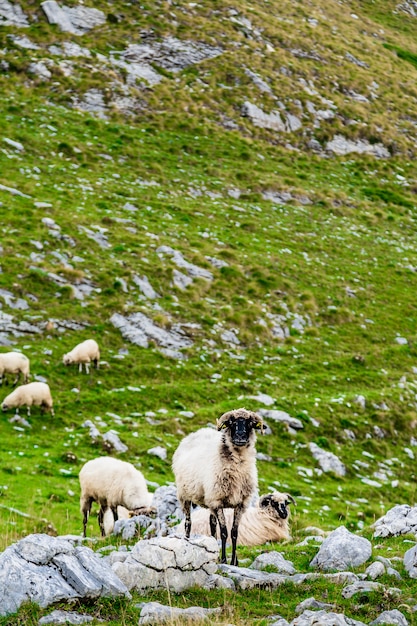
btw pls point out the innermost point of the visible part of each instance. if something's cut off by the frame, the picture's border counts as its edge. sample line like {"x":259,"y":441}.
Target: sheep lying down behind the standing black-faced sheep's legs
{"x":267,"y":521}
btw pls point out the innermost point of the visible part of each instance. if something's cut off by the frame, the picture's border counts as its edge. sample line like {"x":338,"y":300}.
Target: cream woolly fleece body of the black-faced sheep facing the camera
{"x":211,"y":472}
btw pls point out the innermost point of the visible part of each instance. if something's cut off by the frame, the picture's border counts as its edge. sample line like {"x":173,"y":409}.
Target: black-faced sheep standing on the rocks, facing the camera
{"x":216,"y":469}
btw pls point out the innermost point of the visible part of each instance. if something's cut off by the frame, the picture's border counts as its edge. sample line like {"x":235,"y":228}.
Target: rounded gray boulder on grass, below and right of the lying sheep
{"x":342,"y":550}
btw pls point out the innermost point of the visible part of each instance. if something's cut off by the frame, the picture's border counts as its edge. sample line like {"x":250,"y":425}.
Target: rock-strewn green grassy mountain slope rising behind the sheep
{"x":240,"y":181}
